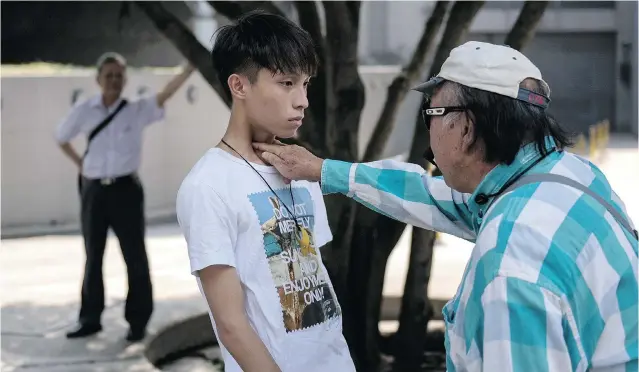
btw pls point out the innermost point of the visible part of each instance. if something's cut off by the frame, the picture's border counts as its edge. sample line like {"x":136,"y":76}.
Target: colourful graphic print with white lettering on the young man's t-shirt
{"x":300,"y":280}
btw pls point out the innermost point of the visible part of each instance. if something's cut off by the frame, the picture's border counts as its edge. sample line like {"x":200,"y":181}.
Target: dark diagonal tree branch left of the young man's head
{"x":182,"y":38}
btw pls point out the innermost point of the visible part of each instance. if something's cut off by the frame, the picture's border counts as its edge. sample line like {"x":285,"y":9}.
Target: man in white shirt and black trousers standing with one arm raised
{"x":111,"y":192}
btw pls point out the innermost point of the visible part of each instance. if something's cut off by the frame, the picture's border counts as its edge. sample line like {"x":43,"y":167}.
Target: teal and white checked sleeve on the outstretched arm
{"x":402,"y":191}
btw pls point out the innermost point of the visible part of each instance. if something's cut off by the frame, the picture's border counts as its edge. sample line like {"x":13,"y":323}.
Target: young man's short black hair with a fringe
{"x":262,"y":40}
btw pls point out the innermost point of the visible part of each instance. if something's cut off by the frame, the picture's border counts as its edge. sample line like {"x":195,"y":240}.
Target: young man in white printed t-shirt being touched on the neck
{"x":253,"y":240}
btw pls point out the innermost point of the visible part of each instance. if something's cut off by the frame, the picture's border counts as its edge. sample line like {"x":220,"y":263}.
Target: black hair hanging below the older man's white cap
{"x":505,"y":124}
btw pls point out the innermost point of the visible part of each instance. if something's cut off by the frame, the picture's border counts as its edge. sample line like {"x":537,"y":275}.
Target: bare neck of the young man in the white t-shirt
{"x":240,"y":135}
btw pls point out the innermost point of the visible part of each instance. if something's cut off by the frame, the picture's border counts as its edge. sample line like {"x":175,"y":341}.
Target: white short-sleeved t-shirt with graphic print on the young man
{"x":229,"y":216}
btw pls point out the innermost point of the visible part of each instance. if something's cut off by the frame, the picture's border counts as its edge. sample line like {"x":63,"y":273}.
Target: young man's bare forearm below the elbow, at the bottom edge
{"x":245,"y":346}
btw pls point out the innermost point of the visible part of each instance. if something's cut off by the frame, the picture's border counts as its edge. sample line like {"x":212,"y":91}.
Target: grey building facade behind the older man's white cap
{"x":586,"y":50}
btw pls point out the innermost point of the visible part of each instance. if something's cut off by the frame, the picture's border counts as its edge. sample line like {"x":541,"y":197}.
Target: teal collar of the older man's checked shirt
{"x":500,"y":175}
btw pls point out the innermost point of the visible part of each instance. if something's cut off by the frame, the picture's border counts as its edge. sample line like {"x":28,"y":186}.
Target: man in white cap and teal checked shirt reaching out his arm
{"x":552,"y":281}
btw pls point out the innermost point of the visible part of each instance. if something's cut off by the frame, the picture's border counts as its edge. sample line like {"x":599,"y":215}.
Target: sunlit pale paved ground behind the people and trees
{"x":41,"y":281}
